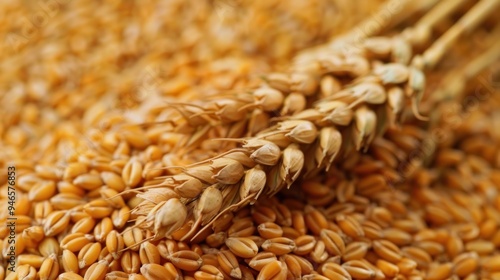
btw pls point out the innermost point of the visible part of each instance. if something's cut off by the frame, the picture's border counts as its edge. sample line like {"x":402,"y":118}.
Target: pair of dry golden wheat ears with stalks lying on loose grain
{"x":358,"y":93}
